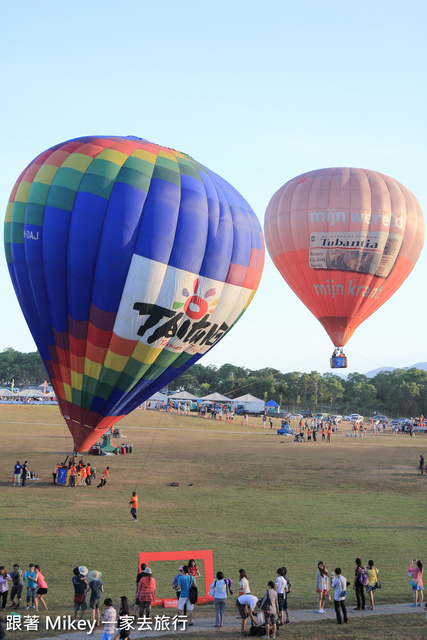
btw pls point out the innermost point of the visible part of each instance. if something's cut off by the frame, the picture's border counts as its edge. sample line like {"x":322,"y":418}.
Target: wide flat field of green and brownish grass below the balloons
{"x":257,"y":502}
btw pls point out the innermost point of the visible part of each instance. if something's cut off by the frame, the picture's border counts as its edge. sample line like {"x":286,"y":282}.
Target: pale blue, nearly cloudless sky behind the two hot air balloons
{"x":259,"y":93}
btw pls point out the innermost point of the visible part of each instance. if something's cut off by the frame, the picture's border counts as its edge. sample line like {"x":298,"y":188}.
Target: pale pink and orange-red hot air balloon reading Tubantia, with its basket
{"x":344,"y":240}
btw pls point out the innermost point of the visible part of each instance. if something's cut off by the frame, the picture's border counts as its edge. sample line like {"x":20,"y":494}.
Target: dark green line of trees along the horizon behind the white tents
{"x":398,"y":393}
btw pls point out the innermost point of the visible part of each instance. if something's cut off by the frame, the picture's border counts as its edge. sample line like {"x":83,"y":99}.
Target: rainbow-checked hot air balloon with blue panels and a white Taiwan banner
{"x":130,"y":261}
